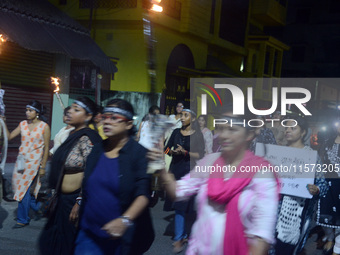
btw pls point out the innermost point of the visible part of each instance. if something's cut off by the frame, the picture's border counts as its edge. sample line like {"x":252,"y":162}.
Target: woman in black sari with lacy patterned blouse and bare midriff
{"x":66,"y":178}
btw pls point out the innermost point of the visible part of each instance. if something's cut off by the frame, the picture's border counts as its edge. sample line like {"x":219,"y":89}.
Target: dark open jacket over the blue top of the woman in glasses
{"x":133,"y":182}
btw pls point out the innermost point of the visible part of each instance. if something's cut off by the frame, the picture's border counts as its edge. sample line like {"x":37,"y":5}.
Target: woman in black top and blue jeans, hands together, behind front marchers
{"x":185,"y":146}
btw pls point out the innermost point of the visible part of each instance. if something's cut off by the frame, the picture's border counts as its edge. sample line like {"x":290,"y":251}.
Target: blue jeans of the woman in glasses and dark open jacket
{"x":88,"y":244}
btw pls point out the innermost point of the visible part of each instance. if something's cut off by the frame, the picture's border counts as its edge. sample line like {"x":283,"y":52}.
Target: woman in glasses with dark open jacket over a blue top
{"x":116,"y":190}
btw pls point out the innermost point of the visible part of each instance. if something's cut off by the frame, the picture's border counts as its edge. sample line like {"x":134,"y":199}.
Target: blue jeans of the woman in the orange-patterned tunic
{"x":24,"y":206}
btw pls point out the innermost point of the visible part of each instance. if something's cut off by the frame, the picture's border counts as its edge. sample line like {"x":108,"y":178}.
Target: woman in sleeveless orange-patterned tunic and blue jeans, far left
{"x":31,"y":162}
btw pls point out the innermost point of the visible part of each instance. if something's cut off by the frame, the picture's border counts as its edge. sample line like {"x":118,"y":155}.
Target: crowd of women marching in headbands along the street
{"x":102,"y":188}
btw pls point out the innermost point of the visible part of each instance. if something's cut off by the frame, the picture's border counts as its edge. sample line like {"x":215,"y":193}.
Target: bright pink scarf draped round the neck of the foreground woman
{"x":228,"y":192}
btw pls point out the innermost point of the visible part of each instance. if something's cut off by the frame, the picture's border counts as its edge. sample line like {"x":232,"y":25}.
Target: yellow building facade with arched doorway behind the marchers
{"x":158,"y":52}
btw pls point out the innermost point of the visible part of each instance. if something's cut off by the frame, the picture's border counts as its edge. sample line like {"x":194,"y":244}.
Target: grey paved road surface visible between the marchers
{"x":23,"y":241}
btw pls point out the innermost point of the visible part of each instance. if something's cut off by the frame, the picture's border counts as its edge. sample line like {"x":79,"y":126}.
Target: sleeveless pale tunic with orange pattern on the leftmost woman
{"x":32,"y":148}
